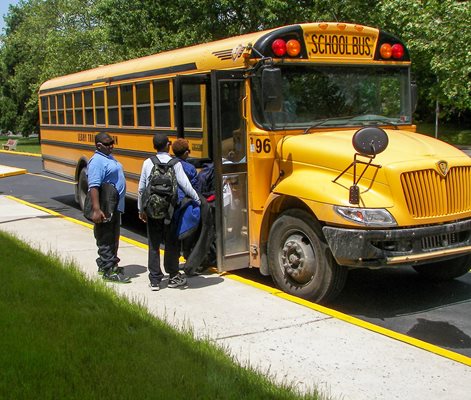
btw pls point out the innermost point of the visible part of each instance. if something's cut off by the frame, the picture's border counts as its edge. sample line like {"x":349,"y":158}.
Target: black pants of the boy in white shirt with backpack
{"x":158,"y":232}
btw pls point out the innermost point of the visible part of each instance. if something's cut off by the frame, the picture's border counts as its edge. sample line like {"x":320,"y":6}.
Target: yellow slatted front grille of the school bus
{"x":428,"y":194}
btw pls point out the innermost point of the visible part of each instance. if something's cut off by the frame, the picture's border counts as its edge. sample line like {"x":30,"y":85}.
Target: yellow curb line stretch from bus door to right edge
{"x":356,"y":321}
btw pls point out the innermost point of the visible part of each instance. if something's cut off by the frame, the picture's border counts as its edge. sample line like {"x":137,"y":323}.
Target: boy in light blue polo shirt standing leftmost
{"x":104,"y":168}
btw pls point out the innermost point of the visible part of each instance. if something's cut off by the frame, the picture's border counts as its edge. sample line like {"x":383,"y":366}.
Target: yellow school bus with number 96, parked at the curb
{"x":421,"y":182}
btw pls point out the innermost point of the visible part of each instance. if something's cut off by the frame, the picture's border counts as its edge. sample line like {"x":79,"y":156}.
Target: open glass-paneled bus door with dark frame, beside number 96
{"x":229,"y":153}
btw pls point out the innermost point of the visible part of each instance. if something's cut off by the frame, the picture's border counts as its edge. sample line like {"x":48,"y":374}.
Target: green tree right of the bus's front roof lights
{"x":438,"y":36}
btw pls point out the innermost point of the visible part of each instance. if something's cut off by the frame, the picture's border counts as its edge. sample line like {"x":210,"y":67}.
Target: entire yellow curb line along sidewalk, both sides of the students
{"x":317,"y":307}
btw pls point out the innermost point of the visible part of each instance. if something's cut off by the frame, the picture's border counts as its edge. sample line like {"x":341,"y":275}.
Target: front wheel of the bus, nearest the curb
{"x":300,"y":261}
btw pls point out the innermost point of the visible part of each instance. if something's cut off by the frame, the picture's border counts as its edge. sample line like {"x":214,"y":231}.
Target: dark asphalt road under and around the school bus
{"x":397,"y":299}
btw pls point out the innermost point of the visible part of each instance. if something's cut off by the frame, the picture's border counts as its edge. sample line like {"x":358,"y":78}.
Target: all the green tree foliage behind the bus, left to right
{"x":48,"y":38}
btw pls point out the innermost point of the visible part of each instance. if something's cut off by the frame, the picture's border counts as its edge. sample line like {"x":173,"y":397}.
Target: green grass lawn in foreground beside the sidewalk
{"x":63,"y":336}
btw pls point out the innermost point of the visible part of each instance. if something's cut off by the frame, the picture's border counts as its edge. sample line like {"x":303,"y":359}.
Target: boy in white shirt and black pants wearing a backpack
{"x":157,"y":230}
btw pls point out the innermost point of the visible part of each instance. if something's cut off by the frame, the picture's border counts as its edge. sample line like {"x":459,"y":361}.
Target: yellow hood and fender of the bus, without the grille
{"x":318,"y":167}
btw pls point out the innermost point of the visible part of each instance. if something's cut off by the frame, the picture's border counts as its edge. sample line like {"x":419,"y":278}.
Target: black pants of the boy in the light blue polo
{"x":107,"y":241}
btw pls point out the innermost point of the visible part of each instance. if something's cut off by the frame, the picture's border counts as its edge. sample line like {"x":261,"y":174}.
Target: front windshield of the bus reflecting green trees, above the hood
{"x":330,"y":96}
